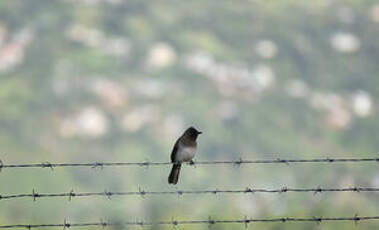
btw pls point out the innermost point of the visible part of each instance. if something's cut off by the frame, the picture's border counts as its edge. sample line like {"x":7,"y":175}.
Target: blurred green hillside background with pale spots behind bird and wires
{"x":120,"y":80}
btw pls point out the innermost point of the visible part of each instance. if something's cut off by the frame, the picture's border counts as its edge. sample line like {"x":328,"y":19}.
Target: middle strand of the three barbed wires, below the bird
{"x":143,"y":193}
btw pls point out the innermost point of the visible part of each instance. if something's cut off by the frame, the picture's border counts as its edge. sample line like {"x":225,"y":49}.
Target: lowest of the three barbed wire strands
{"x":246,"y":221}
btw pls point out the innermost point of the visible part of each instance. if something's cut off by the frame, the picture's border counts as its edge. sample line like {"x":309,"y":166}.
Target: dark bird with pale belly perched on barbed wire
{"x":184,"y":150}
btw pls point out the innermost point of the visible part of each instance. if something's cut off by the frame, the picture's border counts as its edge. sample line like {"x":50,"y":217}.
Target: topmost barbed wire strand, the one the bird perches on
{"x":240,"y":161}
